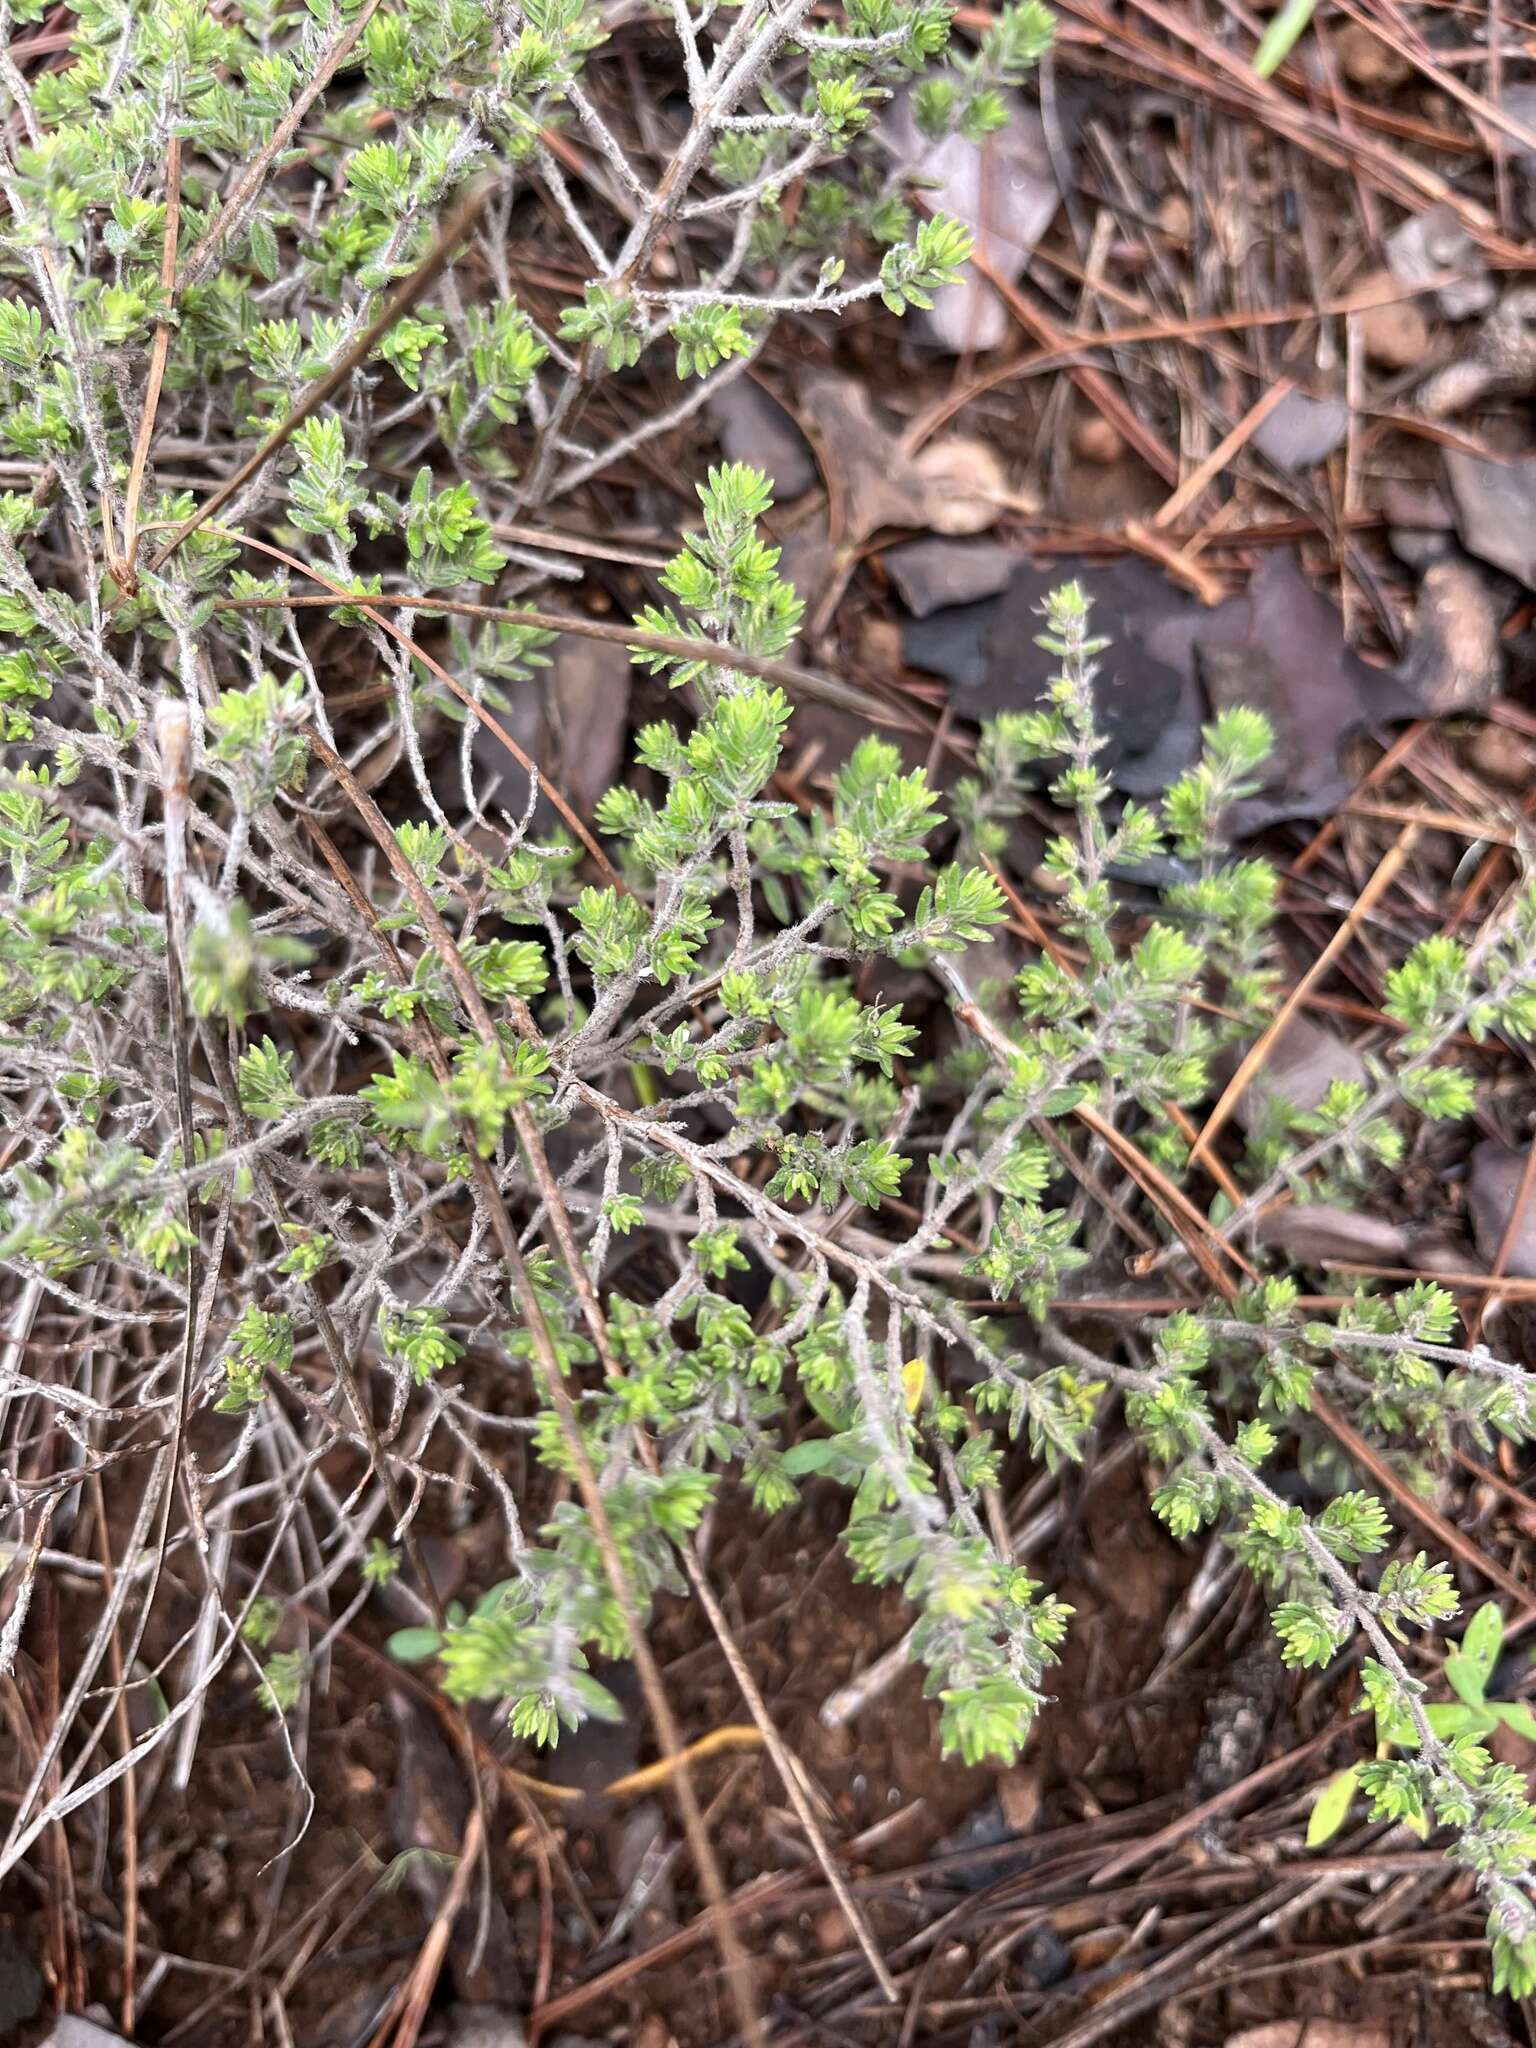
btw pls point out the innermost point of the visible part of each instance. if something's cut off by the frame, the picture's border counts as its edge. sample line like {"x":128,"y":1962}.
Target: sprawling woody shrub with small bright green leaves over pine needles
{"x":343,"y":1154}
